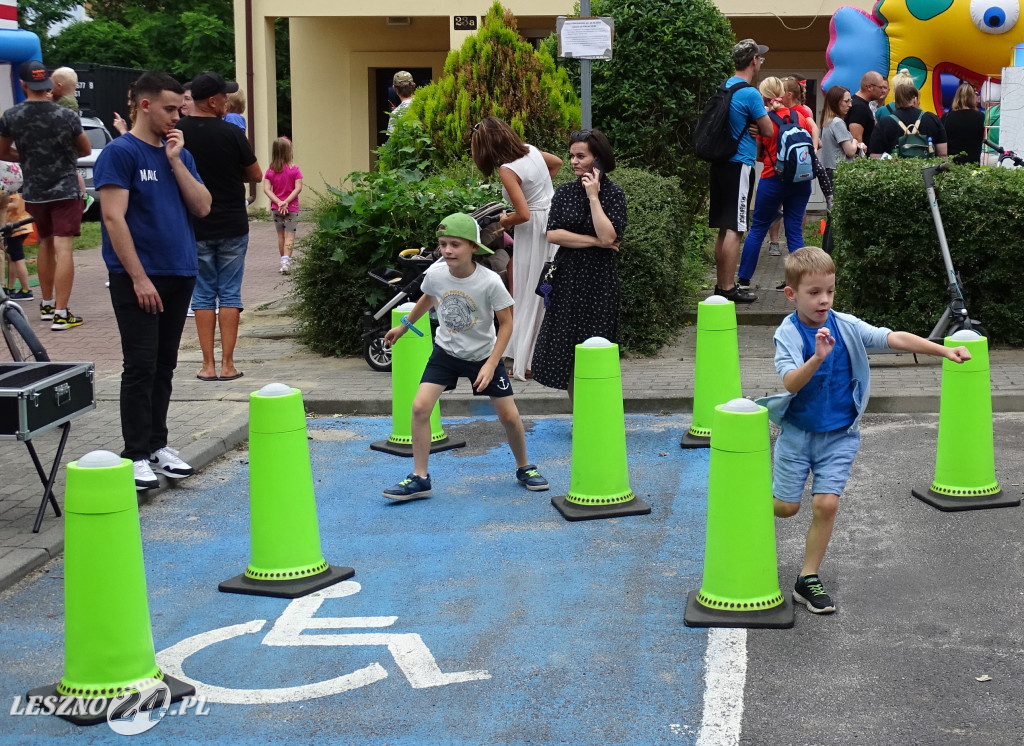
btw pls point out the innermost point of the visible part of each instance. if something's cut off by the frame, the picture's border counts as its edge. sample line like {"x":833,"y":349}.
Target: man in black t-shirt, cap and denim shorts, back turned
{"x":226,"y":163}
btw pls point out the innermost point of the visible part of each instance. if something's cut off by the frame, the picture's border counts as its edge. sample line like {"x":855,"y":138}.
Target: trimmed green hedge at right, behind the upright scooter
{"x":889,"y":267}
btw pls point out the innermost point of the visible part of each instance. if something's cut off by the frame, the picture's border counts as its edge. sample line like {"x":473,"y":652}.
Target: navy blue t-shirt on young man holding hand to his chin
{"x":157,"y":215}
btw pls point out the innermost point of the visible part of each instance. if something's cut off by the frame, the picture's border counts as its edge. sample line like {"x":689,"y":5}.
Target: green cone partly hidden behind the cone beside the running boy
{"x":716,"y":378}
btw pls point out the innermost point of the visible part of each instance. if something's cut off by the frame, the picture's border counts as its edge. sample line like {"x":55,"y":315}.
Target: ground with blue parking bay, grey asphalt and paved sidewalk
{"x":588,"y":646}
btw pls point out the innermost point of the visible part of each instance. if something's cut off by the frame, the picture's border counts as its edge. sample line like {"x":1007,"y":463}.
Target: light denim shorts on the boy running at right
{"x":828,"y":456}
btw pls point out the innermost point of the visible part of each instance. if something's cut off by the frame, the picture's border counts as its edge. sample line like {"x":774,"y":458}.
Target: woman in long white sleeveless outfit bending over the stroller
{"x":526,"y":174}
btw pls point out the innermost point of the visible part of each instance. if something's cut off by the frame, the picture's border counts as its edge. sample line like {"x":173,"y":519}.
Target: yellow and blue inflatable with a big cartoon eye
{"x":970,"y":39}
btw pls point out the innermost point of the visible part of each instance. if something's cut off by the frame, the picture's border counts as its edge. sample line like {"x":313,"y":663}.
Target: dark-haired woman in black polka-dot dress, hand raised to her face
{"x":586,"y":223}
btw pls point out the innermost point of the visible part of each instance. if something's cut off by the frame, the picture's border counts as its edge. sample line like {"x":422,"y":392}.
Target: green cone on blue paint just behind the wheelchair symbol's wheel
{"x":284,"y":535}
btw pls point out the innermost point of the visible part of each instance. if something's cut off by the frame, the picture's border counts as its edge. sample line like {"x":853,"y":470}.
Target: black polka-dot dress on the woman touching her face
{"x":585,"y":293}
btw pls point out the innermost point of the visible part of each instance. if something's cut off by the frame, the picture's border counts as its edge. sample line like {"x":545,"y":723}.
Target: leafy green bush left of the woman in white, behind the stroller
{"x":364,"y":228}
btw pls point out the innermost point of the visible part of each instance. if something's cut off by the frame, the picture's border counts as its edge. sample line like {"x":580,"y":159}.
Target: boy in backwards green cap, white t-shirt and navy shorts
{"x":467,"y":297}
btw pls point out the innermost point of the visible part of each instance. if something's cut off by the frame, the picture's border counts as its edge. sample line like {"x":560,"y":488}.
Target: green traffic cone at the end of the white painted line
{"x":741,"y":575}
